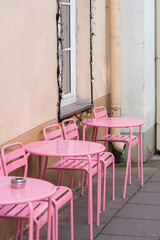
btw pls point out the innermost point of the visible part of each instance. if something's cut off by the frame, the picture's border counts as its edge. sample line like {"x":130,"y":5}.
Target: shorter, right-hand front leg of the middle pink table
{"x":98,"y":189}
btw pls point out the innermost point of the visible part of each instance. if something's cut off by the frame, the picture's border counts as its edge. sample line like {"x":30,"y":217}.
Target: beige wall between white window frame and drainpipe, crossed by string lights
{"x":100,"y":50}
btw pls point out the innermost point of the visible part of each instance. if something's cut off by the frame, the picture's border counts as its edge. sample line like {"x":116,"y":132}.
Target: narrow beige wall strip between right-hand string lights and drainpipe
{"x":101,"y":50}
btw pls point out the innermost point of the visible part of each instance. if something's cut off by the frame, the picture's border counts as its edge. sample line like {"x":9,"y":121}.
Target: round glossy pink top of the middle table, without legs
{"x":64,"y":148}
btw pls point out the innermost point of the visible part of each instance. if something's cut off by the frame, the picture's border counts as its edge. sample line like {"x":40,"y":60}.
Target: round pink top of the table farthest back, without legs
{"x":113,"y":122}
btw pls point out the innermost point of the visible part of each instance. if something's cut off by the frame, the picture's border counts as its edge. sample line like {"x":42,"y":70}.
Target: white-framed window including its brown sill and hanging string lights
{"x":68,"y":104}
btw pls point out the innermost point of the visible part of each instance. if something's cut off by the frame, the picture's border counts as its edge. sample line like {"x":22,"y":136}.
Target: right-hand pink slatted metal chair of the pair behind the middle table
{"x":106,"y":158}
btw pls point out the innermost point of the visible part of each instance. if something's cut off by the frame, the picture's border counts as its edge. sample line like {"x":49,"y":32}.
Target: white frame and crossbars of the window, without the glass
{"x":71,"y":97}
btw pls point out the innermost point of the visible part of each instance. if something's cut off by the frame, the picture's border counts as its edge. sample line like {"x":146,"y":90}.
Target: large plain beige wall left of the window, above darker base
{"x":28,"y":93}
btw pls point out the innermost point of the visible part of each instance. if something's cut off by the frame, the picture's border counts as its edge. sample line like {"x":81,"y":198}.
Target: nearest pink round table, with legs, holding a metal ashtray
{"x":34,"y":190}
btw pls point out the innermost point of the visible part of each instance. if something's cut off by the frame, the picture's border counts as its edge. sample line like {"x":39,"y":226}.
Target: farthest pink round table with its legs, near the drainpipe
{"x":119,"y":122}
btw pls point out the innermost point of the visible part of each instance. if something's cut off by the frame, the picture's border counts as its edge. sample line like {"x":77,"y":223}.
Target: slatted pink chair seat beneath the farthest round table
{"x":119,"y":138}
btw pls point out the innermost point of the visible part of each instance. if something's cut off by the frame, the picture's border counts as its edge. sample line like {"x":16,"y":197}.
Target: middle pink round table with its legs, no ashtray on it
{"x":71,"y":148}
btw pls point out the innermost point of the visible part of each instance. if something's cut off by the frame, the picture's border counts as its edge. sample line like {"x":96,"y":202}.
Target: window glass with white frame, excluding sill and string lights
{"x":68,"y":51}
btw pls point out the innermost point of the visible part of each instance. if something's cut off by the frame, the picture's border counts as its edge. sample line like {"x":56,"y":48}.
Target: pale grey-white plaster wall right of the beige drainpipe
{"x":137,"y":28}
